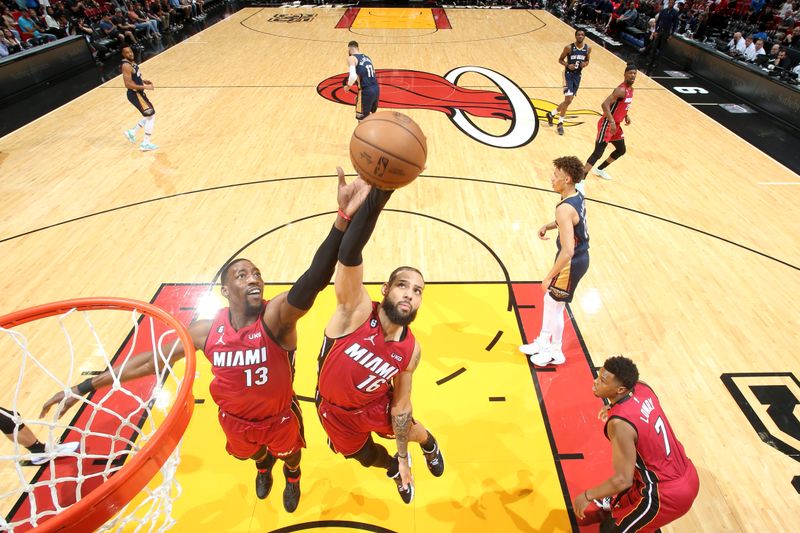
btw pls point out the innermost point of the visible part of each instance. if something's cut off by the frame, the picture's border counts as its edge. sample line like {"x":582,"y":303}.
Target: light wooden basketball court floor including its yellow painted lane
{"x":694,"y":260}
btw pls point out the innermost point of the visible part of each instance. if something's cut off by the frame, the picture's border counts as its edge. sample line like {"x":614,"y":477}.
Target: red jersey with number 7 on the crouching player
{"x":659,"y":455}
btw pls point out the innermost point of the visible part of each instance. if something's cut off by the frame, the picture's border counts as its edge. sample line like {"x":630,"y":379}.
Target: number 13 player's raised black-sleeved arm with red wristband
{"x":287,"y":308}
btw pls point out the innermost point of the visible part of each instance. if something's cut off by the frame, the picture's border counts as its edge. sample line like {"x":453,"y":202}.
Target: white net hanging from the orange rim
{"x":90,"y":443}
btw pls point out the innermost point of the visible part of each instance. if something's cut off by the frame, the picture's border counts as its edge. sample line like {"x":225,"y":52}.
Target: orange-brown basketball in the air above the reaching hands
{"x":388,"y":150}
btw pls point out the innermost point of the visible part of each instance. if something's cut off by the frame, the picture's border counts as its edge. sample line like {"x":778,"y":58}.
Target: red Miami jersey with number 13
{"x":252,"y":373}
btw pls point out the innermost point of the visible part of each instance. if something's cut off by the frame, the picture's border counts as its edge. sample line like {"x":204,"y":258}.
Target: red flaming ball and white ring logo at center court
{"x":413,"y":89}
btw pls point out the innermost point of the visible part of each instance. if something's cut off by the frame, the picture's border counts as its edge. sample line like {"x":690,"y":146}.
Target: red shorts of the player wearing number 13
{"x":281,"y":434}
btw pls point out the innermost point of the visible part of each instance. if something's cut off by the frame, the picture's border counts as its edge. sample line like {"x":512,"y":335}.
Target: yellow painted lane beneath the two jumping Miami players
{"x":499,"y":470}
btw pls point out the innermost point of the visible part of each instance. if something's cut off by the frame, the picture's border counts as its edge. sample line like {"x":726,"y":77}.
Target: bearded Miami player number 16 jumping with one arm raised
{"x":367,"y":362}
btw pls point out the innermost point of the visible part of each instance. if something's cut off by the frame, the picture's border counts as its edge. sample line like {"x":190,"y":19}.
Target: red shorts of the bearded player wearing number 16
{"x":348,"y":430}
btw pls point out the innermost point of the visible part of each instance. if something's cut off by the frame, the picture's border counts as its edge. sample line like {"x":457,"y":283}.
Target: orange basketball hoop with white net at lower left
{"x":121,"y":450}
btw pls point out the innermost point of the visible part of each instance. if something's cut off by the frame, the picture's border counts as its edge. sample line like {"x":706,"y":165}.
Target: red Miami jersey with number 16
{"x":356,"y":370}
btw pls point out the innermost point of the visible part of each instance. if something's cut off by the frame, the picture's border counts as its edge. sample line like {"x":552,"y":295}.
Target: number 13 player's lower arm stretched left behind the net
{"x":139,"y":365}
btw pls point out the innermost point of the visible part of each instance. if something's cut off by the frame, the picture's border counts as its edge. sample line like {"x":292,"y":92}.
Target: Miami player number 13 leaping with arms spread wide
{"x":250,"y":345}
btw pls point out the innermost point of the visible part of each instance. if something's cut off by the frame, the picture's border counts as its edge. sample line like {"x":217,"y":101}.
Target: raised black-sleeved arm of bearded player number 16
{"x":353,"y":302}
